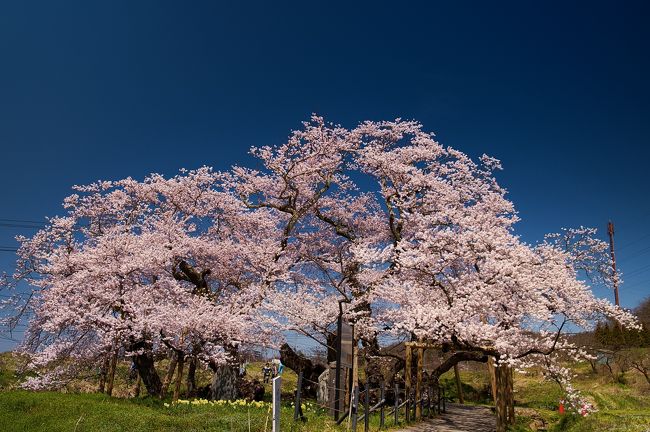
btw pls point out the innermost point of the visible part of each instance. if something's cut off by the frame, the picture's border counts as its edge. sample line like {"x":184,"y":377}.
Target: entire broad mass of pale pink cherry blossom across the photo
{"x":415,"y":239}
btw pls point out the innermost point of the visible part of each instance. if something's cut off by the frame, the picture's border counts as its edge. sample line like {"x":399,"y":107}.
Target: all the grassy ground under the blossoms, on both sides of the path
{"x":622,"y":408}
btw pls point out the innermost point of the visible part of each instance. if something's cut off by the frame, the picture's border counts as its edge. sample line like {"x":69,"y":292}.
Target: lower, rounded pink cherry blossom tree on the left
{"x":144,"y":266}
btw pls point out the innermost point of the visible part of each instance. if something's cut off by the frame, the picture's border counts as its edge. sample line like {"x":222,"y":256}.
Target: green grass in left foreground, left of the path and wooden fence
{"x":53,"y":411}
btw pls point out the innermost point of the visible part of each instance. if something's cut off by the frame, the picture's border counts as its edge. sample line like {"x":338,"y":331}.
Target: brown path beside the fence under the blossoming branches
{"x":459,"y":418}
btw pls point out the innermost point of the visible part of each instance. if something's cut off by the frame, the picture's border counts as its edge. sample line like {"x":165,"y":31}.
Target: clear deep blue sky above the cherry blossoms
{"x":559,"y":91}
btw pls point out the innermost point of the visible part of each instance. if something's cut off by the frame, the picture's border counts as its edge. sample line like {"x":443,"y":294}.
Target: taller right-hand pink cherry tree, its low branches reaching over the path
{"x":430,"y":251}
